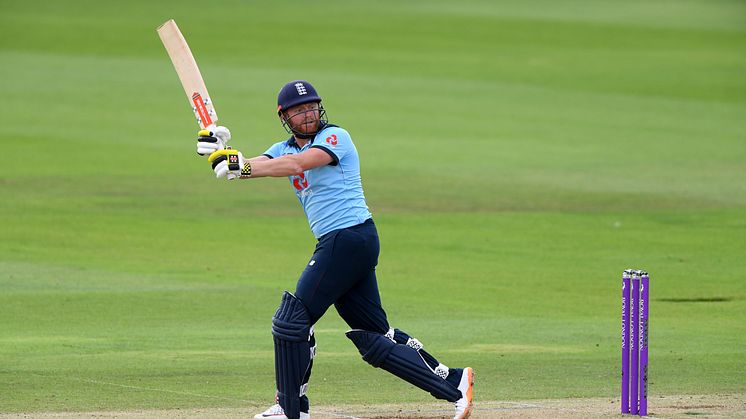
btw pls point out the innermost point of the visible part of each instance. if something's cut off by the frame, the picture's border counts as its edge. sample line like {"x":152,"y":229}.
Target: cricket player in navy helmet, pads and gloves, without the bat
{"x":323,"y":167}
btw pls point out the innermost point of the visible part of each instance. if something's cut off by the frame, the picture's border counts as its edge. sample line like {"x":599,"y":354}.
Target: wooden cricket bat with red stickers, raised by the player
{"x":191,"y":78}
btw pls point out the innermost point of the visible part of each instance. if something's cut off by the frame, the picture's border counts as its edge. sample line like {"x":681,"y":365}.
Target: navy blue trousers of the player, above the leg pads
{"x":342,"y":272}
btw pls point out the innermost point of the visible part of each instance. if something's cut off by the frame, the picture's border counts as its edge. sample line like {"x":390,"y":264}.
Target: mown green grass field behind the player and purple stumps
{"x":517,"y":157}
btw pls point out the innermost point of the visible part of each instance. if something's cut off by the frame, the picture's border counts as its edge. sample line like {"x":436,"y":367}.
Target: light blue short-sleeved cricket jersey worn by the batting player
{"x":331,"y":195}
